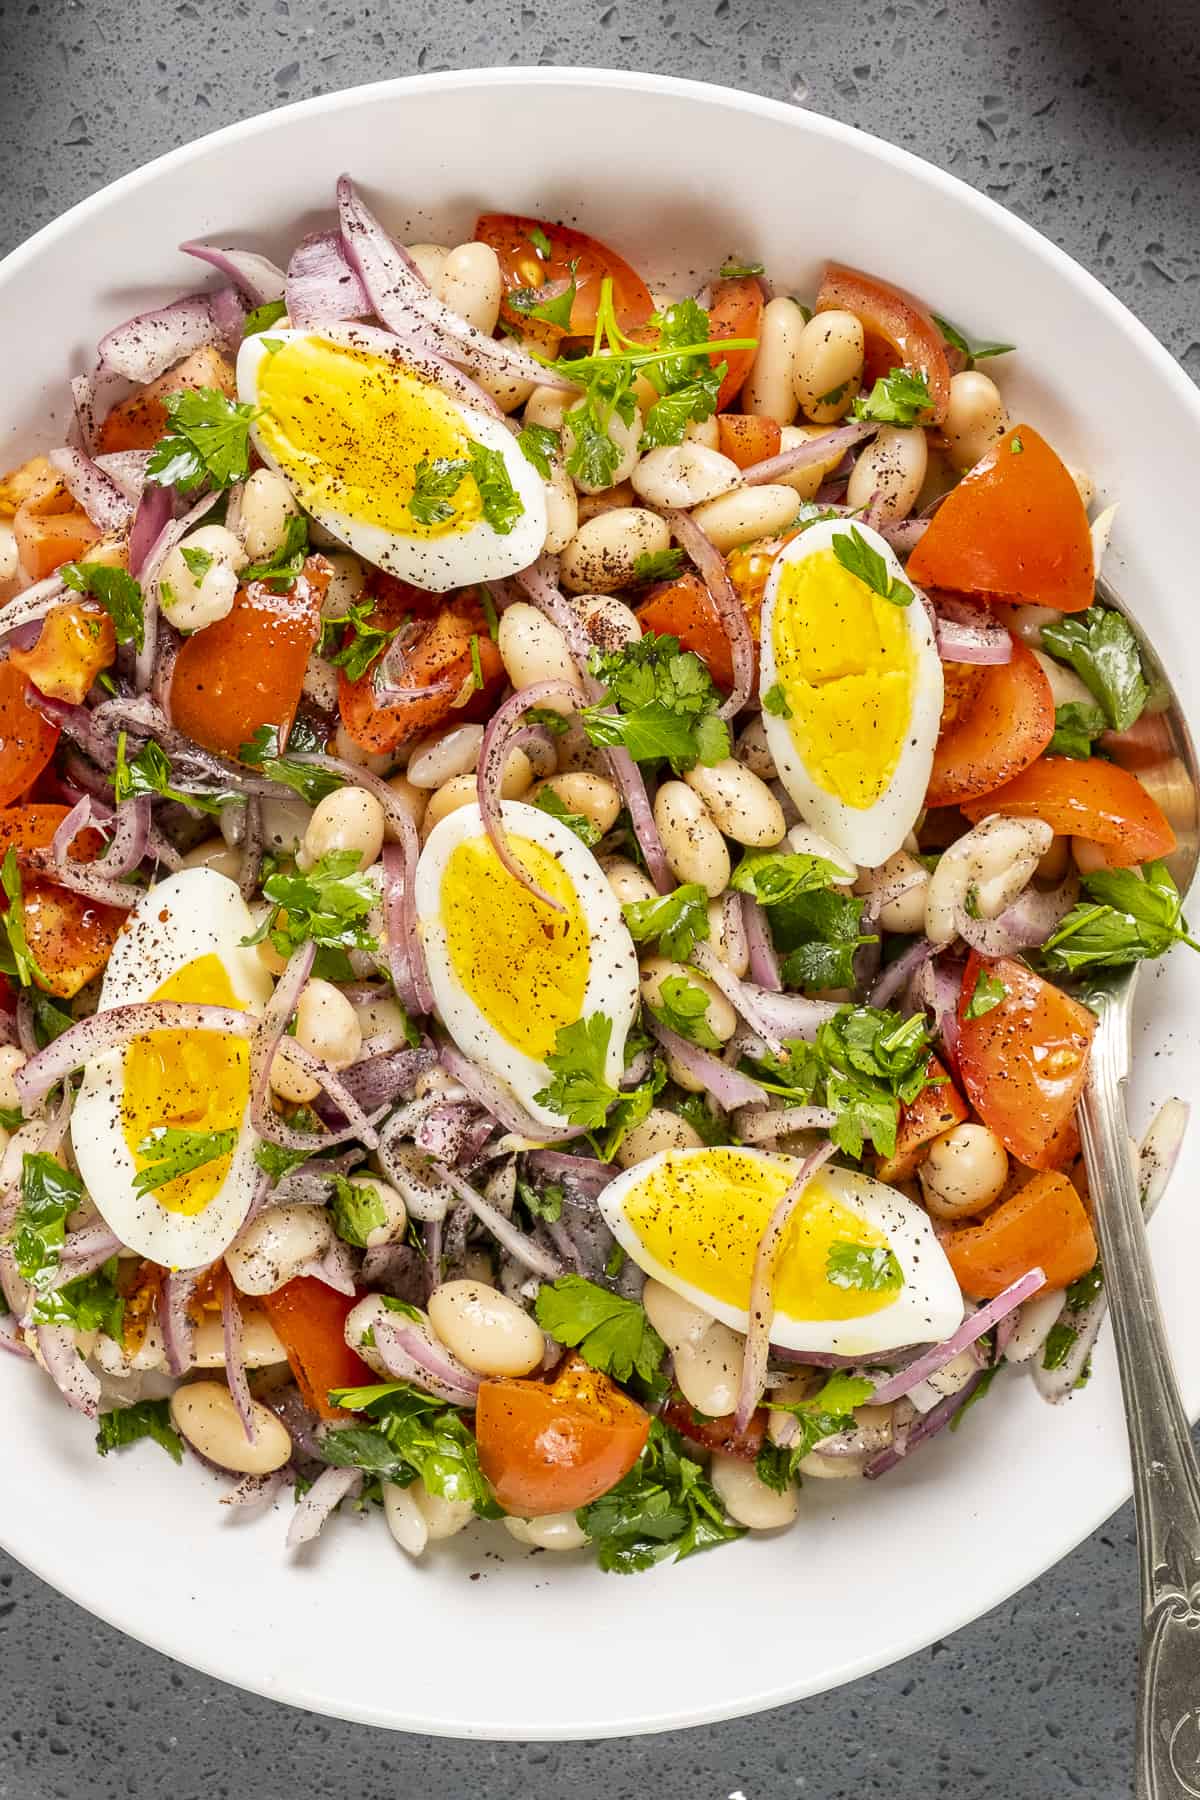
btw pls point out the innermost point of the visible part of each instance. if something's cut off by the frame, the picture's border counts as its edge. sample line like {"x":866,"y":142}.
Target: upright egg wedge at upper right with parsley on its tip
{"x":852,"y":688}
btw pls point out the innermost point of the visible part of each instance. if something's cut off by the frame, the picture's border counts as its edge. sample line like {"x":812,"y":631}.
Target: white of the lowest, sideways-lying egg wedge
{"x":926,"y":1309}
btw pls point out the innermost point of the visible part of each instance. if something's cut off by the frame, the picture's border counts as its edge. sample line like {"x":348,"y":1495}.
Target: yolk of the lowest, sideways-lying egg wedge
{"x":704,"y":1218}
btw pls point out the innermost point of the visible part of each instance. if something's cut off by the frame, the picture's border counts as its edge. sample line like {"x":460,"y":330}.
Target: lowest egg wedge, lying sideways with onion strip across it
{"x":694,"y":1219}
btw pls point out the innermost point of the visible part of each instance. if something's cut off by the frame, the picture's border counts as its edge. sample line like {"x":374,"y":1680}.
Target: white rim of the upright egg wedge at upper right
{"x":870,"y":834}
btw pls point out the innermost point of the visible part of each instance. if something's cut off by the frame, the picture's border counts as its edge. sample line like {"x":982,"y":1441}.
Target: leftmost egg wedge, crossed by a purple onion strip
{"x":183,"y":942}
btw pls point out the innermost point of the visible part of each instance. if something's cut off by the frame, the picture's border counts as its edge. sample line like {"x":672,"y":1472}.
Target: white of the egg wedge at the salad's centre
{"x":613,"y":960}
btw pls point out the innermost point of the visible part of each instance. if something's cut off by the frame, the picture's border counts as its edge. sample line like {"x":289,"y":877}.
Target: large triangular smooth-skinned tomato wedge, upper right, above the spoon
{"x":1016,"y":528}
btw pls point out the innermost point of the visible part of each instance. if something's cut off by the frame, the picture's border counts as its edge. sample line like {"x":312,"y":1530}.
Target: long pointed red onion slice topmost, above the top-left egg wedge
{"x":400,"y":298}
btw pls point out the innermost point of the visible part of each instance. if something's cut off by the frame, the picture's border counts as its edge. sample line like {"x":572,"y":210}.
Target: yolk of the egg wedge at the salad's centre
{"x":524,"y":966}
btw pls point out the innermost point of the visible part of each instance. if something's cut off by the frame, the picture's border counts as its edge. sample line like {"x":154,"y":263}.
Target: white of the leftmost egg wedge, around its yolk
{"x":190,"y":915}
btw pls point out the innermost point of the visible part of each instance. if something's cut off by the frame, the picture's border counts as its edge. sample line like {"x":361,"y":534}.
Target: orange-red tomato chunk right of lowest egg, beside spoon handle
{"x":1041,"y":1227}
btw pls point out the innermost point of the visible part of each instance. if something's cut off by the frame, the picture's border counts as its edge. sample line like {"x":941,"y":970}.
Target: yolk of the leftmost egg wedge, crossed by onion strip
{"x":195,"y":1081}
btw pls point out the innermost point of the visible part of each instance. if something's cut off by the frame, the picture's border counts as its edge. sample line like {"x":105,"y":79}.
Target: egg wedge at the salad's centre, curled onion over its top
{"x":508,"y":971}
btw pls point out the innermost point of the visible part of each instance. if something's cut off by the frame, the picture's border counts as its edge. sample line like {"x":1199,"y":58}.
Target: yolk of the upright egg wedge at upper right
{"x":846,"y":665}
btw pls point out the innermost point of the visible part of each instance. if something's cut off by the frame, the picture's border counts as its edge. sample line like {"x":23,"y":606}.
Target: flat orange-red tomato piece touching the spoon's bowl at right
{"x":1088,"y":798}
